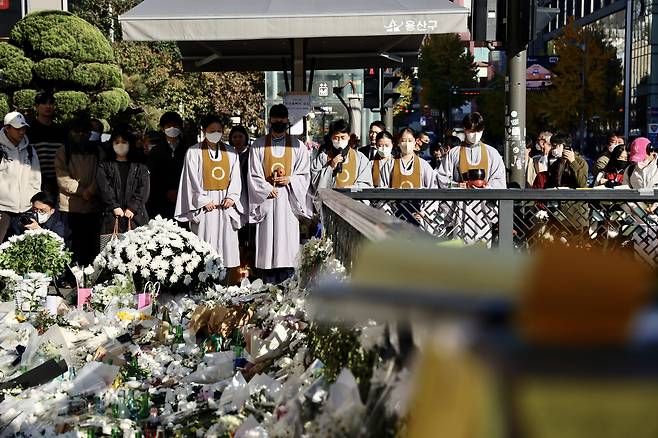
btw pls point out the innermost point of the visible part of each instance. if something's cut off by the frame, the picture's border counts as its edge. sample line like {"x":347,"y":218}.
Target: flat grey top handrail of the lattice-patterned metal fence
{"x":503,"y":194}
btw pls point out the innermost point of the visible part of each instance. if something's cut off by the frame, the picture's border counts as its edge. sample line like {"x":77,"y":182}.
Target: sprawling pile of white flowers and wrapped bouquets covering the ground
{"x":219,"y":362}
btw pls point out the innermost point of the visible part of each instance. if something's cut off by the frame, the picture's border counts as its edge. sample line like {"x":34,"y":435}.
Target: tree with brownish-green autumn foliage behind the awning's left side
{"x":156,"y":81}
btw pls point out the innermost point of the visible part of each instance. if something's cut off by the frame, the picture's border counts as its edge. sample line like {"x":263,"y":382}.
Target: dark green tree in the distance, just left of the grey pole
{"x":444,"y":63}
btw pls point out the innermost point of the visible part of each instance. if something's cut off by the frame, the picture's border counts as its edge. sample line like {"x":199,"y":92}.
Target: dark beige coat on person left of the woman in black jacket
{"x":73,"y":178}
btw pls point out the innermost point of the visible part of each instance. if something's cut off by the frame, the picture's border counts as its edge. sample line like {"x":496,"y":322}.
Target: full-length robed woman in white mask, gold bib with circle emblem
{"x":209,"y":192}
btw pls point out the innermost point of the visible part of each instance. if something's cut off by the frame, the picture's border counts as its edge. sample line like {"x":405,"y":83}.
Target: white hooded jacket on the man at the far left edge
{"x":20,"y":177}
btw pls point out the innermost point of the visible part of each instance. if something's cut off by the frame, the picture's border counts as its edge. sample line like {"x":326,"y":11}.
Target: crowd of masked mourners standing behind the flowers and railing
{"x":247,"y":198}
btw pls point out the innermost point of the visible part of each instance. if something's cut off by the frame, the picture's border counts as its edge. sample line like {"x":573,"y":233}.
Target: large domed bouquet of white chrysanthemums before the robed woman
{"x":163,"y":252}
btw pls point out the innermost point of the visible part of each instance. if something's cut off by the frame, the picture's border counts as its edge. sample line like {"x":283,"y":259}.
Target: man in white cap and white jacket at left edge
{"x":20,"y":172}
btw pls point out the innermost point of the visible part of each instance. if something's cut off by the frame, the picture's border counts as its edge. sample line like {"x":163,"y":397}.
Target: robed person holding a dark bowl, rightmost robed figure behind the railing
{"x":472,"y":165}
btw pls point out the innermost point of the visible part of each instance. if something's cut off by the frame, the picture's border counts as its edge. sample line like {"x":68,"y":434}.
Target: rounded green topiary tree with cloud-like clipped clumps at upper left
{"x":59,"y":52}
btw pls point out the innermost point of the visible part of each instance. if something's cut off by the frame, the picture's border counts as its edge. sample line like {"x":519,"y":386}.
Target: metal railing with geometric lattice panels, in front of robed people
{"x":523,"y":219}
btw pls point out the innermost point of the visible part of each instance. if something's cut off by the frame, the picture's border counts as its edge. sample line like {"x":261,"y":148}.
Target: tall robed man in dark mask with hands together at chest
{"x":279,"y":167}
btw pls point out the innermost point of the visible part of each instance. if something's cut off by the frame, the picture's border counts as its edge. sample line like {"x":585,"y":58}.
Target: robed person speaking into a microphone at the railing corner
{"x":341,"y":166}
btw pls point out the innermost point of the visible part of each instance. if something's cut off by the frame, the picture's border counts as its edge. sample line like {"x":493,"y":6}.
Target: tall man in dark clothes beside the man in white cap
{"x":46,"y":137}
